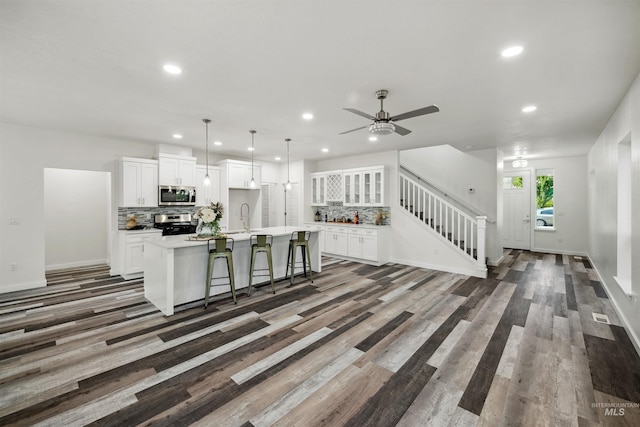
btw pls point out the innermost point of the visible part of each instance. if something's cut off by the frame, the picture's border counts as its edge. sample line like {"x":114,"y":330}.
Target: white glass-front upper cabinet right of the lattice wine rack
{"x":365,"y":187}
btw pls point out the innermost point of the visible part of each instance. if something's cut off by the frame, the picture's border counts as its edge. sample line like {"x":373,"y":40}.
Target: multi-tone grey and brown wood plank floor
{"x":360,"y":346}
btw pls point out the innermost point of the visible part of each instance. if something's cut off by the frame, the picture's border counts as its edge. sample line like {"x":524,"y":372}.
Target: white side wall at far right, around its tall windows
{"x":602,"y":190}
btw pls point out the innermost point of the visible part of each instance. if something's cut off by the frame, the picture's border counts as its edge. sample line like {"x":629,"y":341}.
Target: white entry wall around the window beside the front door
{"x":570,"y":201}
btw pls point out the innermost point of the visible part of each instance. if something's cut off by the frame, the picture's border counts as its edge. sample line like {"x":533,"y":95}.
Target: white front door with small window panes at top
{"x":516,"y":192}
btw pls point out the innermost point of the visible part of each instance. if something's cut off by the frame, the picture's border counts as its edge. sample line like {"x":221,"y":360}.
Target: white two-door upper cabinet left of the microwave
{"x":138,"y":182}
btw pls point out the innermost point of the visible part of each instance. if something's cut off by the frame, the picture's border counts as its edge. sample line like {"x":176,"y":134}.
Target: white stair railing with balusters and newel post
{"x":461,"y":230}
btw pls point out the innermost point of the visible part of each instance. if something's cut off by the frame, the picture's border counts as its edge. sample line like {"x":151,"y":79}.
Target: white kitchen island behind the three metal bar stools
{"x":175,"y":268}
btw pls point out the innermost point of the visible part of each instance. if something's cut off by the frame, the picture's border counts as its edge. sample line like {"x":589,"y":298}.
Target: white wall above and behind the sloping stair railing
{"x":456,"y":172}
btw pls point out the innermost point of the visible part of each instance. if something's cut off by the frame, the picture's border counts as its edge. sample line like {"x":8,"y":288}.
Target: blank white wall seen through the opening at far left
{"x":77,"y":226}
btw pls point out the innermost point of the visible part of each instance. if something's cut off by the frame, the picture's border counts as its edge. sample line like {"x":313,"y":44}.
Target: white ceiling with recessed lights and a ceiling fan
{"x":95,"y":67}
